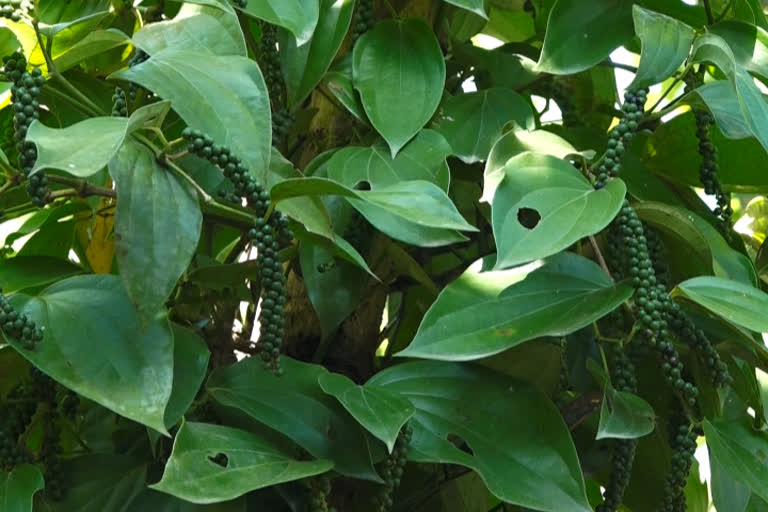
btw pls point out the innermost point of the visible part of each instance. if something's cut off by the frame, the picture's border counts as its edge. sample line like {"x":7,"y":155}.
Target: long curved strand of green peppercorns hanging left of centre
{"x":267,"y":235}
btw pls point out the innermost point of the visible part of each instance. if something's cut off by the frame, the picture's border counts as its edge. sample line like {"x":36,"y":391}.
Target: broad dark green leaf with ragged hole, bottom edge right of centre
{"x":517,"y":441}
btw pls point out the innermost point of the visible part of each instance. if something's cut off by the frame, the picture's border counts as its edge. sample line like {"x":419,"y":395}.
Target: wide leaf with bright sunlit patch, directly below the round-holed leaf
{"x":484,"y":313}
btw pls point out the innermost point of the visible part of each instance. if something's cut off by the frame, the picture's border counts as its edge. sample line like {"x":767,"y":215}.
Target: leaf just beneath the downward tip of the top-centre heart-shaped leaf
{"x":423,"y":158}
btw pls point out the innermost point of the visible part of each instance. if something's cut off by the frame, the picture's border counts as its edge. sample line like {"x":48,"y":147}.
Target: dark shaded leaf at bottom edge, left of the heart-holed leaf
{"x":100,"y":482}
